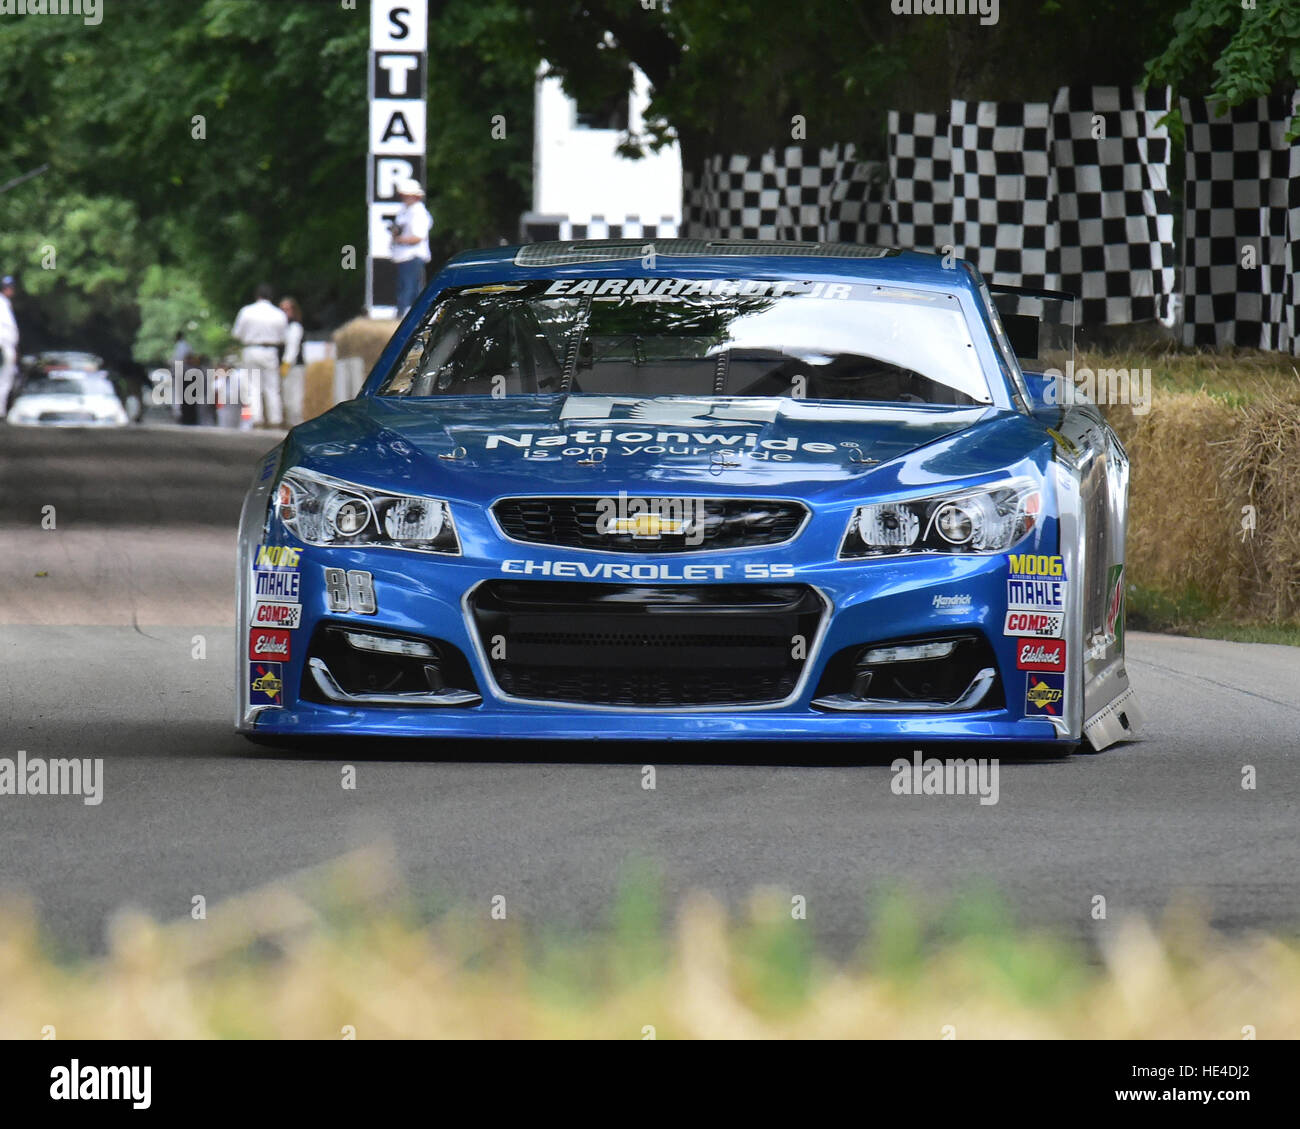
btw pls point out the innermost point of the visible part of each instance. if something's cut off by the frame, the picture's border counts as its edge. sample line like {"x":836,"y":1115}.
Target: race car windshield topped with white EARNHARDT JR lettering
{"x":651,"y":338}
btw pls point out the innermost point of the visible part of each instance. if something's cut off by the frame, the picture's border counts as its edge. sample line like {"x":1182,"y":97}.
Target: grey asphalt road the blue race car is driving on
{"x":99,"y":618}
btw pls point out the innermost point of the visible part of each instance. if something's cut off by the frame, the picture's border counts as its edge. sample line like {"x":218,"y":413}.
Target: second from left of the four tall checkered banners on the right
{"x":1004,"y":209}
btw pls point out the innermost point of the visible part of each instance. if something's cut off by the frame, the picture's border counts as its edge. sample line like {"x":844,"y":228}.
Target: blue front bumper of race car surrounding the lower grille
{"x":865,"y":603}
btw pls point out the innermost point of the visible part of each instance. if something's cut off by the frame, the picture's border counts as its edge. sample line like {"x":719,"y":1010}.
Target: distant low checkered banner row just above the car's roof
{"x":816,"y":196}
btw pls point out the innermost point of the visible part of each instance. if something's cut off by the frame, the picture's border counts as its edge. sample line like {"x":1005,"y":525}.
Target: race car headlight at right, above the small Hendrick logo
{"x":989,"y":520}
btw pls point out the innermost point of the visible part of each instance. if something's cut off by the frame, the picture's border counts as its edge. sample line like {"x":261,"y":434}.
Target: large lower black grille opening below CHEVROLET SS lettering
{"x":655,"y":647}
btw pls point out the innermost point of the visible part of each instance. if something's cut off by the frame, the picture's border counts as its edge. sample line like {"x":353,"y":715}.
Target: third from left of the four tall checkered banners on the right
{"x":1111,"y":162}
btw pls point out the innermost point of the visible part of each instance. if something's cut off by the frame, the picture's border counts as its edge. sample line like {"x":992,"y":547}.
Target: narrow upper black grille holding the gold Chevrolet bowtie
{"x":705,"y":524}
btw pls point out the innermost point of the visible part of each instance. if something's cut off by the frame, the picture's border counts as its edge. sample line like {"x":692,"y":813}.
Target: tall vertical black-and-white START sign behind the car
{"x":400,"y":45}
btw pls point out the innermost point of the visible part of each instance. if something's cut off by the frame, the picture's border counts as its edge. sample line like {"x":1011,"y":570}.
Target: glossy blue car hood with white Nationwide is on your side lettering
{"x":587,"y":444}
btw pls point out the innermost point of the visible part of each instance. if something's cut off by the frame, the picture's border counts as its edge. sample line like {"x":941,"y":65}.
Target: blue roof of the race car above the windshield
{"x":709,"y":257}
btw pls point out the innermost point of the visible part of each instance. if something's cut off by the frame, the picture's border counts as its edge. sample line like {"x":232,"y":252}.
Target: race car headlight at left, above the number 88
{"x":322,"y":511}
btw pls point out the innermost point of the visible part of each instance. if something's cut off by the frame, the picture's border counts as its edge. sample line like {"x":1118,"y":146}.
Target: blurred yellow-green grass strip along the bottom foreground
{"x":344,"y":948}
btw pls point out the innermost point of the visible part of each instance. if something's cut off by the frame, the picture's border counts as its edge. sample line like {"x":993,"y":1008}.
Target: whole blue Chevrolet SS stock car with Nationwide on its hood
{"x":697,"y":490}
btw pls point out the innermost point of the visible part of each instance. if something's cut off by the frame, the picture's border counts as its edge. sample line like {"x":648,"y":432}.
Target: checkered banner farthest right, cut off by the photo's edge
{"x":1242,"y":226}
